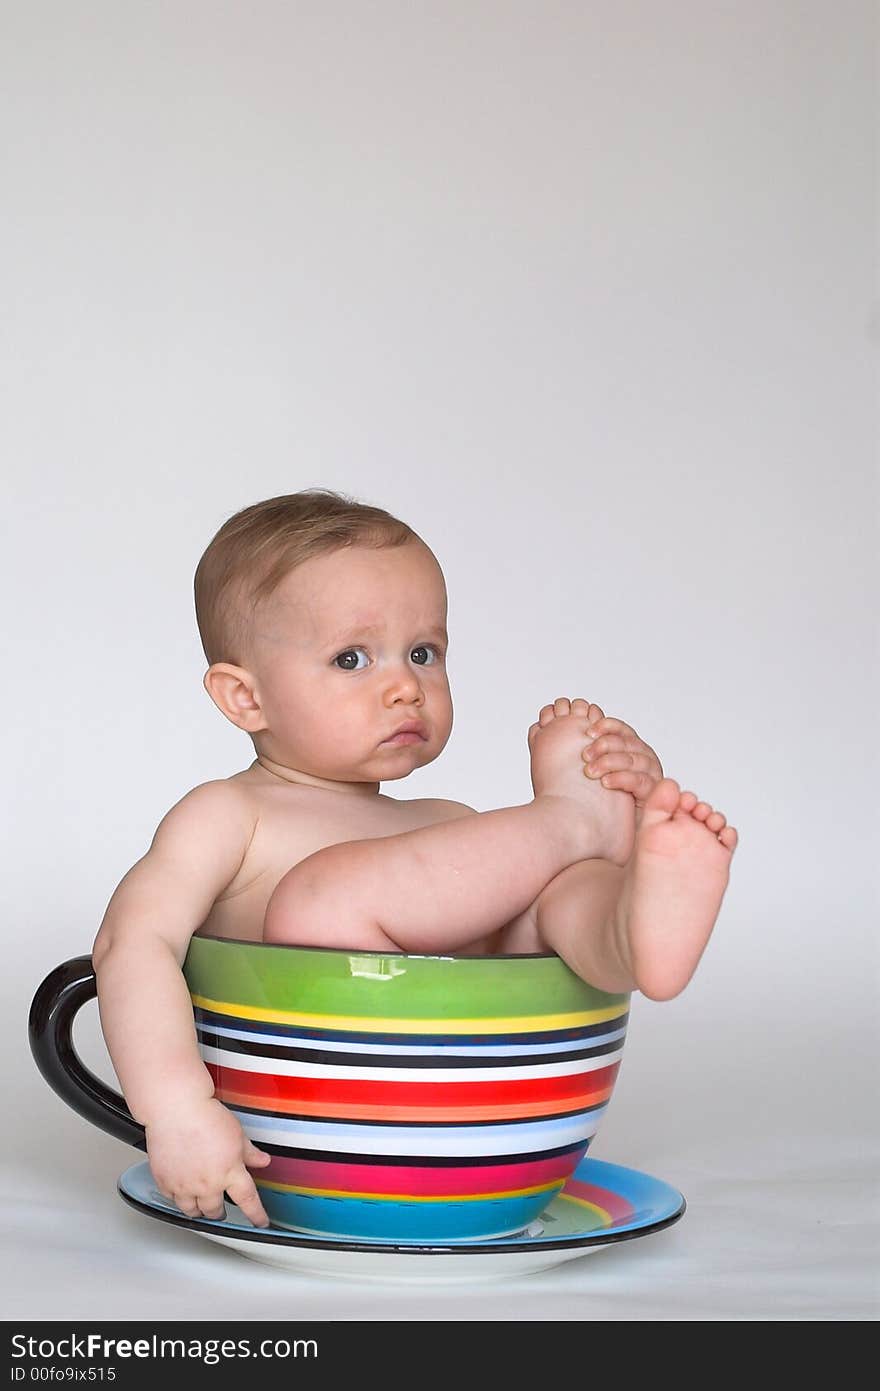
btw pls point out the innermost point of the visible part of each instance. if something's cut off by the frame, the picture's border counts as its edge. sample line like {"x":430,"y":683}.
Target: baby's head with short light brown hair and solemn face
{"x":325,"y":625}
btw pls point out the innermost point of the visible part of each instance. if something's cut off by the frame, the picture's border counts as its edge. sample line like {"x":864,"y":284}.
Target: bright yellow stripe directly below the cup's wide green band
{"x":529,"y":1024}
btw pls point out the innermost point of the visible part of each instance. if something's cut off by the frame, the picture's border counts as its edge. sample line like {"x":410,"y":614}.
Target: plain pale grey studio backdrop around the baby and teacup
{"x":587,"y":294}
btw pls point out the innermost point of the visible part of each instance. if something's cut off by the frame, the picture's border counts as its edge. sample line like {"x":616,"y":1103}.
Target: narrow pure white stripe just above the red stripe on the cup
{"x":290,"y":1068}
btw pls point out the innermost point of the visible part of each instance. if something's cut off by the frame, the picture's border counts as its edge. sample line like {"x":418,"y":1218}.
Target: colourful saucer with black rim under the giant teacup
{"x":600,"y":1205}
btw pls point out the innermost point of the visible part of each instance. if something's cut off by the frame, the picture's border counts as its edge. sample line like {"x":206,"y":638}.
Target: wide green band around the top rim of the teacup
{"x":380,"y":986}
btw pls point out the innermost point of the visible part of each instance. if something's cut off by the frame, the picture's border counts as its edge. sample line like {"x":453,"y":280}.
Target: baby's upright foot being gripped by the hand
{"x":604,"y":821}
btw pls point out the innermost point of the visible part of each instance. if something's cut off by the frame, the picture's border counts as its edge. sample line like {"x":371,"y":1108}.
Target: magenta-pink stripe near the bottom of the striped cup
{"x":418,"y":1180}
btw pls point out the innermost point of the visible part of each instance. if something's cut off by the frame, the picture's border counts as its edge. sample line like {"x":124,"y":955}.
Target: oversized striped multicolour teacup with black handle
{"x":402,"y":1098}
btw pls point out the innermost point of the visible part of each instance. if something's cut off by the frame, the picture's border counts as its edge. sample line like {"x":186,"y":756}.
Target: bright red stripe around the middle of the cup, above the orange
{"x":269,"y":1090}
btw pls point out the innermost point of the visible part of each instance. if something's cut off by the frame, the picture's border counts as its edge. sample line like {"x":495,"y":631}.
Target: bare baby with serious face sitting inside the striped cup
{"x":325,"y":625}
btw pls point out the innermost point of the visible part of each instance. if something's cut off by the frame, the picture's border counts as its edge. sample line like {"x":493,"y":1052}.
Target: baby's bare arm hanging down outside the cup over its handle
{"x":197,"y":1148}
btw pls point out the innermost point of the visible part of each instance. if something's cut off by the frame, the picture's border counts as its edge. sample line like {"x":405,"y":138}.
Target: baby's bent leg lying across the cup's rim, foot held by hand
{"x":446,"y":887}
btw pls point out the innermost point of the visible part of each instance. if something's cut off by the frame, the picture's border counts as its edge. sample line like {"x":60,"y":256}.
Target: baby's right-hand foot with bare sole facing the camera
{"x":674,"y":888}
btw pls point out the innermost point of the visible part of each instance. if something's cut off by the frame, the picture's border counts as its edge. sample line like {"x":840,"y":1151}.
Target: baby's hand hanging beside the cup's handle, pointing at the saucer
{"x":198,"y":1152}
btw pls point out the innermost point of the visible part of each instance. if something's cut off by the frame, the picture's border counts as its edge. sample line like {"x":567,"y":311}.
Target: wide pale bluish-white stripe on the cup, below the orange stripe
{"x":427,"y":1140}
